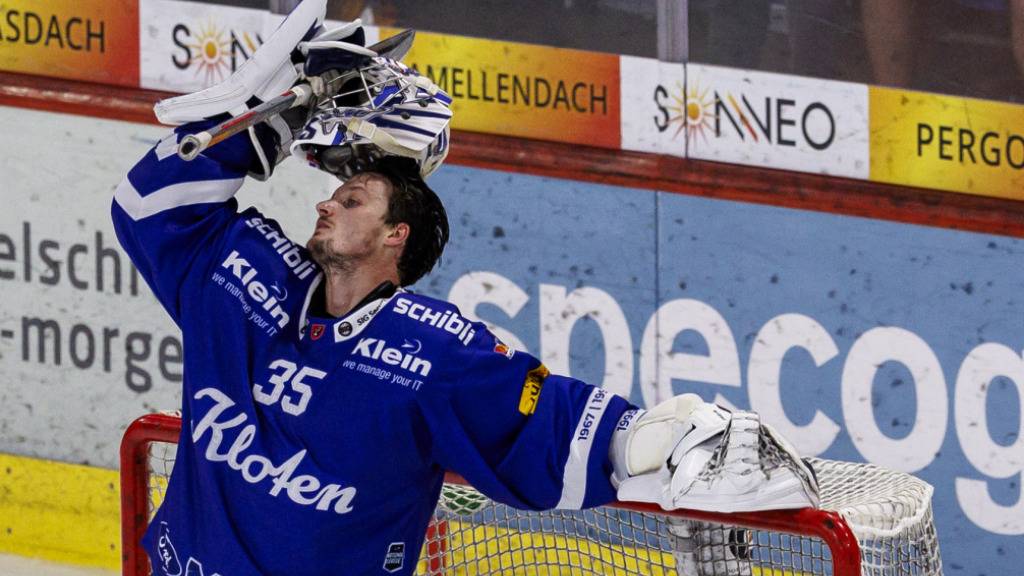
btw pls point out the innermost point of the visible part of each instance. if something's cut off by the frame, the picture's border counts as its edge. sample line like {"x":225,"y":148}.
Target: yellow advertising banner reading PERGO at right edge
{"x":948,"y":143}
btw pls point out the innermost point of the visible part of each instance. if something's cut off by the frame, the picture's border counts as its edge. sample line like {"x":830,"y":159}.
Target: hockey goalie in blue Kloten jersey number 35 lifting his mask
{"x":323,"y":400}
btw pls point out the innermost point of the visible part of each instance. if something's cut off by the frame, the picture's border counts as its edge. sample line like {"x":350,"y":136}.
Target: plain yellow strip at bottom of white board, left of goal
{"x":62,"y":513}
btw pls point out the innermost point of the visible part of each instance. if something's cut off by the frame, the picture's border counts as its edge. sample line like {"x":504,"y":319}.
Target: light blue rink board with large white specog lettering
{"x":897,"y":315}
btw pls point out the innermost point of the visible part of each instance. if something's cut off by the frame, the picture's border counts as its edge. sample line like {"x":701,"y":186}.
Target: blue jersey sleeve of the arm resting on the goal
{"x":522,"y":436}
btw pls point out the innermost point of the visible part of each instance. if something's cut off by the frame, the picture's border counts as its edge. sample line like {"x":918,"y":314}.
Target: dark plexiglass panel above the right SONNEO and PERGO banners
{"x":963,"y":48}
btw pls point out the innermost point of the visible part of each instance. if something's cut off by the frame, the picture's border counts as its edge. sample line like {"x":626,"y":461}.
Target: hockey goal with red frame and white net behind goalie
{"x":872,"y":522}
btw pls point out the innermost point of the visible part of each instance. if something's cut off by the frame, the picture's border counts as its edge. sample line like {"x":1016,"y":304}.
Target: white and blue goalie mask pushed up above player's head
{"x":383,"y":108}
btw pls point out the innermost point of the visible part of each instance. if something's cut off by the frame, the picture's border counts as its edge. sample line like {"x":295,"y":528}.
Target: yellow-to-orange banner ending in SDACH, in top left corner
{"x":94,"y":40}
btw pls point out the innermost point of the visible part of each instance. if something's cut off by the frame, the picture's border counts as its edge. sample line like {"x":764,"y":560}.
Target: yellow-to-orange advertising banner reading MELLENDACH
{"x":524,"y":91}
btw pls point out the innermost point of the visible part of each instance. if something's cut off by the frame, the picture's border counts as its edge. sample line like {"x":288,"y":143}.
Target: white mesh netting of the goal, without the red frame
{"x":889,"y":513}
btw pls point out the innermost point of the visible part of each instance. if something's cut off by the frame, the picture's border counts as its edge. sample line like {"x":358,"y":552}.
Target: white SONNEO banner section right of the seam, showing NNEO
{"x":778,"y":121}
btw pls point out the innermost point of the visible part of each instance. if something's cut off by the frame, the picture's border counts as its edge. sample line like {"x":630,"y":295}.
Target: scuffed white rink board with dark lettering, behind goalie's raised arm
{"x":70,"y":398}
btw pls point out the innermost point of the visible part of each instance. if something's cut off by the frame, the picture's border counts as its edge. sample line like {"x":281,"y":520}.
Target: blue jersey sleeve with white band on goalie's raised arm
{"x":168,"y":214}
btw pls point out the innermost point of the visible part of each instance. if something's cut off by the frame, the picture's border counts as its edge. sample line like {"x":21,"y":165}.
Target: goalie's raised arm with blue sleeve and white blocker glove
{"x":169,"y":214}
